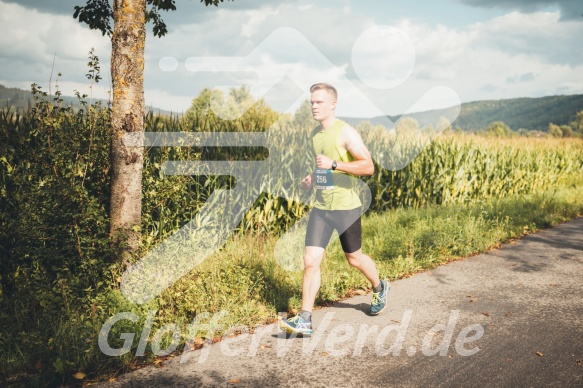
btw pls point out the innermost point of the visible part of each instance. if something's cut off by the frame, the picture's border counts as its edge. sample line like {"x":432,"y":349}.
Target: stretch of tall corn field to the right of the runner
{"x":458,"y":169}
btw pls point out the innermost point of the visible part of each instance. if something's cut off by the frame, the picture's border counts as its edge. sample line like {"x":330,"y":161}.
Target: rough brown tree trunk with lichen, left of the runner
{"x":128,"y":110}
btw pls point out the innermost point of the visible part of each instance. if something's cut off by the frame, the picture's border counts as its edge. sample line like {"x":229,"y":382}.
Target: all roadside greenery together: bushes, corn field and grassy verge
{"x":463,"y":194}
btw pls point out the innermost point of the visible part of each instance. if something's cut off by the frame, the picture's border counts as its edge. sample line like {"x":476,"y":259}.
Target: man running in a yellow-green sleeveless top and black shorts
{"x":340,"y":156}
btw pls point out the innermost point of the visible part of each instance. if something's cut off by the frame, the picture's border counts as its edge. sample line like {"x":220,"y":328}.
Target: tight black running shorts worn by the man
{"x":323,"y":222}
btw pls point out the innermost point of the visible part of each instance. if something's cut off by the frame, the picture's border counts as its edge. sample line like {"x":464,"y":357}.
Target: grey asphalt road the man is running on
{"x":509,"y":317}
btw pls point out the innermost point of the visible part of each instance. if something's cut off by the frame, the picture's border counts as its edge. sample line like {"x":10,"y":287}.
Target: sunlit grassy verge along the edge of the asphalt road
{"x":247,"y":280}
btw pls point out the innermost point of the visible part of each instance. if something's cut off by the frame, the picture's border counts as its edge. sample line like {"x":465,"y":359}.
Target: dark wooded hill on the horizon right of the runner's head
{"x":517,"y":113}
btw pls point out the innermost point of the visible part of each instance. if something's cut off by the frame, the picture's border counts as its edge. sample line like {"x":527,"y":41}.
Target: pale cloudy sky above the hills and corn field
{"x":384,"y":56}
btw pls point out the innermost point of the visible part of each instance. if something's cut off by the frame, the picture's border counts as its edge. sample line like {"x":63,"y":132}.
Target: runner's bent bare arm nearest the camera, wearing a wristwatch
{"x":351,"y":140}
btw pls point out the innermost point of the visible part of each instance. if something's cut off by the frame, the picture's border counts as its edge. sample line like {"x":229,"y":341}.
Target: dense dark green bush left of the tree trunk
{"x":54,"y":179}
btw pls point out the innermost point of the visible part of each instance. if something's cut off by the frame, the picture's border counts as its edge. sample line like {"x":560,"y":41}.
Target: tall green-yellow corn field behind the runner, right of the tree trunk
{"x":443,"y":170}
